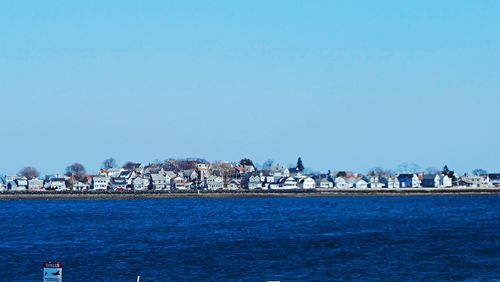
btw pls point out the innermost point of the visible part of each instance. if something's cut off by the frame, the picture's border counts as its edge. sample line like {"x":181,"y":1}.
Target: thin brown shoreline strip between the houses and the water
{"x":73,"y":195}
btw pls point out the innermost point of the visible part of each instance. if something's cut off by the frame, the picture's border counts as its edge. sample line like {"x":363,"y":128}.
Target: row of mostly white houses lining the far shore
{"x":142,"y":178}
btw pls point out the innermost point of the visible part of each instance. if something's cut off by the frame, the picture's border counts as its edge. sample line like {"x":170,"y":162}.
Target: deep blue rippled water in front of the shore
{"x":429,"y":238}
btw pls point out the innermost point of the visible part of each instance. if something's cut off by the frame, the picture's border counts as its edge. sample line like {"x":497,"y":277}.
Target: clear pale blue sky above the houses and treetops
{"x":344,"y":84}
